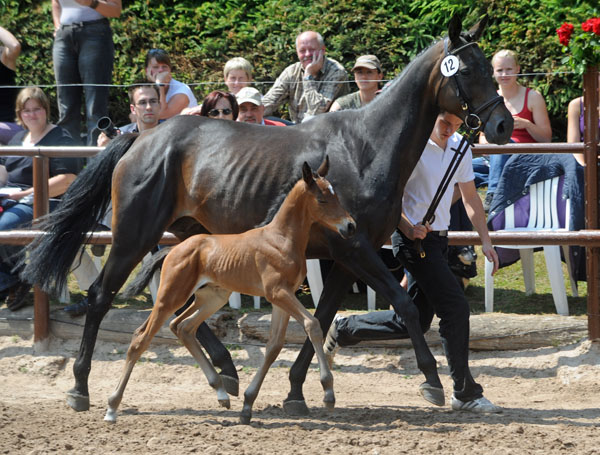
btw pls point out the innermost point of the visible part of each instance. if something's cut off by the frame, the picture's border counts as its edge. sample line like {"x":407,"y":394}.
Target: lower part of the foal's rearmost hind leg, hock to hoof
{"x":139,"y":343}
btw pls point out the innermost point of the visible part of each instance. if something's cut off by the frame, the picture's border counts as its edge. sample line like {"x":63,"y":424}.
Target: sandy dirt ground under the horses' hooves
{"x":551,"y":396}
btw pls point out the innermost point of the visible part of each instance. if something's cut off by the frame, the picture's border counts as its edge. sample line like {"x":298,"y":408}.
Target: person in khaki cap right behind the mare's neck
{"x":367,"y":74}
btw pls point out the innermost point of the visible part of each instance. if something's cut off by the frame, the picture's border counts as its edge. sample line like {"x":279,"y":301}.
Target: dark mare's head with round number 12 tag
{"x":467,"y":88}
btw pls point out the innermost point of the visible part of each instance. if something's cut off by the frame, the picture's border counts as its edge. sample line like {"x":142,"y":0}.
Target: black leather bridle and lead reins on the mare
{"x":473,"y":122}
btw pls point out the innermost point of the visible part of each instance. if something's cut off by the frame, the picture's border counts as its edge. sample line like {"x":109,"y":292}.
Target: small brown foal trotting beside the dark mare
{"x":268,"y":261}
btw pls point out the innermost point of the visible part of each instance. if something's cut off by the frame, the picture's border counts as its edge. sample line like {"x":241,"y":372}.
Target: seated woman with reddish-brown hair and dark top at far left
{"x":16,"y":180}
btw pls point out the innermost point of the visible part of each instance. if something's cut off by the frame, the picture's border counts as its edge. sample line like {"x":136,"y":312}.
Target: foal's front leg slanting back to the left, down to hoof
{"x":279,"y":323}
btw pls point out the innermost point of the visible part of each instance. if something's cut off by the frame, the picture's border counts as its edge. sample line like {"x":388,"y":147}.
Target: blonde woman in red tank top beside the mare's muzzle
{"x":527,"y":107}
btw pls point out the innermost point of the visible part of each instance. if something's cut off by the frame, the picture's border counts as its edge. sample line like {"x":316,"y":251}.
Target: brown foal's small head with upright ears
{"x":324,"y":205}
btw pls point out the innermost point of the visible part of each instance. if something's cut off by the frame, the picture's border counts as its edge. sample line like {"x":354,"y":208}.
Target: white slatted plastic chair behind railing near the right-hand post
{"x":543,"y":216}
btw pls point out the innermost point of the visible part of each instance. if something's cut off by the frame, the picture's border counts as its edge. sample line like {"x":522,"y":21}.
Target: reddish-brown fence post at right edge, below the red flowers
{"x":592,"y":221}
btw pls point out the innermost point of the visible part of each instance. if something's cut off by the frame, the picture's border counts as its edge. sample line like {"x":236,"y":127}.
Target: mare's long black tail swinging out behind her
{"x":67,"y":227}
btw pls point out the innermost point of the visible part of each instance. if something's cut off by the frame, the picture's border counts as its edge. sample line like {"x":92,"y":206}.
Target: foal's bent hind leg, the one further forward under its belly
{"x":209,"y":299}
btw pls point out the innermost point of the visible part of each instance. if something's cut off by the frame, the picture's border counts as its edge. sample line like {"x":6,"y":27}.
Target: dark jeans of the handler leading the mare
{"x":433,"y":288}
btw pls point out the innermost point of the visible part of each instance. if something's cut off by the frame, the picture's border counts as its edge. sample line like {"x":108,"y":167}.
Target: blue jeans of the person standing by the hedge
{"x":83,"y":53}
